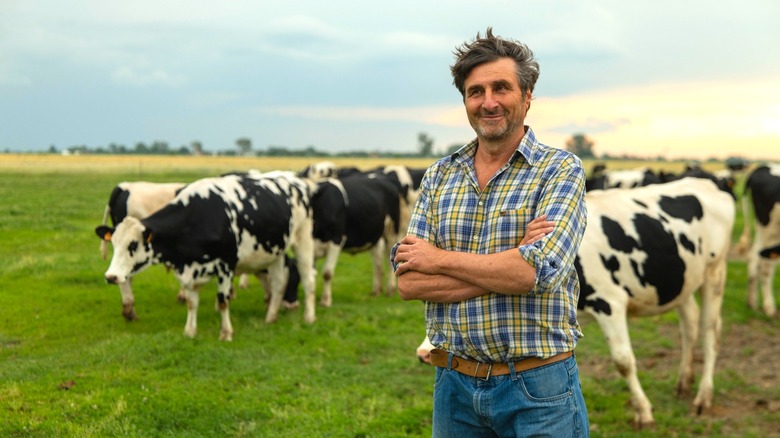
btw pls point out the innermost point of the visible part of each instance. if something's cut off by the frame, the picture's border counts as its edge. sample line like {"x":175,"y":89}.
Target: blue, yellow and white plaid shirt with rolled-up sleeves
{"x":453,"y":214}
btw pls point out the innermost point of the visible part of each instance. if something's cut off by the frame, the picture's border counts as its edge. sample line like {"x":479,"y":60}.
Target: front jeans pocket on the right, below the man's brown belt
{"x":546,"y":384}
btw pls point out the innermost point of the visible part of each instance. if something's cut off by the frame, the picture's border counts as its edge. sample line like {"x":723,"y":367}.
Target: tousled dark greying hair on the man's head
{"x":489,"y":49}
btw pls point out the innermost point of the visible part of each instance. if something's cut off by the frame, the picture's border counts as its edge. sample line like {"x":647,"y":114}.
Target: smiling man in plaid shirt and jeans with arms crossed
{"x":500,"y":289}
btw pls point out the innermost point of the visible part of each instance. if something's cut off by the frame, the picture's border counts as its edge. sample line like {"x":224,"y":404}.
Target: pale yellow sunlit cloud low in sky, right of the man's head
{"x":673,"y":119}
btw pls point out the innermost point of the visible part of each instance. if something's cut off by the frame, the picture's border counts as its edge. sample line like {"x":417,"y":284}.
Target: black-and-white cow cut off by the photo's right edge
{"x":763,"y":185}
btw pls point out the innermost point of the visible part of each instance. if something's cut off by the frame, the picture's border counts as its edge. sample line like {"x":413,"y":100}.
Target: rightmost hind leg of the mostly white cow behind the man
{"x":711,"y":302}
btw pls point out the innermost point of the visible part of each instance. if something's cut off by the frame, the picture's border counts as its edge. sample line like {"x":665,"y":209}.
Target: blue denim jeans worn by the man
{"x":544,"y":401}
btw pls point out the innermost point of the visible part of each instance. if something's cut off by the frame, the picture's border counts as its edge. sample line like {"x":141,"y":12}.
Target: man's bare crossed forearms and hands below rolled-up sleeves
{"x":428,"y":273}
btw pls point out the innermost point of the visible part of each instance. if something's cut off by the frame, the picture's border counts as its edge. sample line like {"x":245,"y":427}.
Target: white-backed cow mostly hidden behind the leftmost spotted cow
{"x":137,"y":199}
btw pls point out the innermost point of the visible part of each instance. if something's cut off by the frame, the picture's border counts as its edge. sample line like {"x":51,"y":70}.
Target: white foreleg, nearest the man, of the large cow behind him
{"x":615,"y":329}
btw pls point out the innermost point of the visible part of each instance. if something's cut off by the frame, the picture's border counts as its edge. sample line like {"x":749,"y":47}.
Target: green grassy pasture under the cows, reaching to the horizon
{"x":70,"y":365}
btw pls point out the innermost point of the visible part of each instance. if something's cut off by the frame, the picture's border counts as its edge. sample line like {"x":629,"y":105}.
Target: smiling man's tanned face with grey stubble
{"x":495,"y":104}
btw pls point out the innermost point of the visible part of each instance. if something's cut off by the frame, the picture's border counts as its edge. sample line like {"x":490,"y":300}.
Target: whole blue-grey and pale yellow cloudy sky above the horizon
{"x":672,"y":79}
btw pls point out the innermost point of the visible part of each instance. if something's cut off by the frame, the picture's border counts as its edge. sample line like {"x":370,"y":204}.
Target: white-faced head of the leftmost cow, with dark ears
{"x":132,"y":249}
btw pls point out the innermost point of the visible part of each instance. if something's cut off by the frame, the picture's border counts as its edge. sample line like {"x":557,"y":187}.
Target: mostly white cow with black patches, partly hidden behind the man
{"x":645,"y":252}
